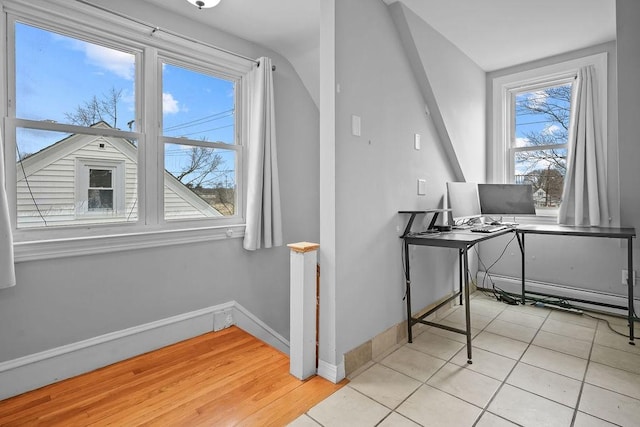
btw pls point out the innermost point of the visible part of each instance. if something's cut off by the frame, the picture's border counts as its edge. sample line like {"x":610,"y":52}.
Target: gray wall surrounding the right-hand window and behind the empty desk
{"x":591,"y":264}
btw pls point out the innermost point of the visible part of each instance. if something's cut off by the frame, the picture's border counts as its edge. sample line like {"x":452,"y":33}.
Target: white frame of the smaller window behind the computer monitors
{"x":501,"y":165}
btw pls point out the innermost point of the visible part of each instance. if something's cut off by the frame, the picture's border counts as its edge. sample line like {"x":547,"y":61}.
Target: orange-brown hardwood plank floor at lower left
{"x":225,"y":378}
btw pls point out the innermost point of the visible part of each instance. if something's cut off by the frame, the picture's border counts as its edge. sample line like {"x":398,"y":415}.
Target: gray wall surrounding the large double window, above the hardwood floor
{"x":61,"y":301}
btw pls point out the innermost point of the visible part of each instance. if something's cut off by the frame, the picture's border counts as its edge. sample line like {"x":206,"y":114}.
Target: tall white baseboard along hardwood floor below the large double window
{"x":37,"y":370}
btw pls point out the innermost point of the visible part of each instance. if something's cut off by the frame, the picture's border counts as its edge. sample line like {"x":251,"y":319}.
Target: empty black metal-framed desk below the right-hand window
{"x":627,"y":234}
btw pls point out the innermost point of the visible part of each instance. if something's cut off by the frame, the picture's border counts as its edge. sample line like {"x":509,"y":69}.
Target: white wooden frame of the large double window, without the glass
{"x":151,"y":230}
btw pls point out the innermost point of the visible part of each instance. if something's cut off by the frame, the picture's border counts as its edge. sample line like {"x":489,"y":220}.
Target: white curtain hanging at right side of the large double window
{"x":264,"y":219}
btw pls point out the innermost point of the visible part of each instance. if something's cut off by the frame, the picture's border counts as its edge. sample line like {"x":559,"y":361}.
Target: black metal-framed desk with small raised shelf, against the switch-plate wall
{"x":463,"y":240}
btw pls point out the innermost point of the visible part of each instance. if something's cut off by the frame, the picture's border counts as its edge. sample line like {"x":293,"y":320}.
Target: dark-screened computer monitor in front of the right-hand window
{"x":506,"y":199}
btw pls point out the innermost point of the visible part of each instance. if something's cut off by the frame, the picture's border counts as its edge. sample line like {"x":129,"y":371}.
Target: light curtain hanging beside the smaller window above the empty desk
{"x":584,"y":200}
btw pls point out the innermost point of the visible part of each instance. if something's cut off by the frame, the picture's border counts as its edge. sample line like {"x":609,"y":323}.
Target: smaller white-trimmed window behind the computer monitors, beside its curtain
{"x":531,"y":119}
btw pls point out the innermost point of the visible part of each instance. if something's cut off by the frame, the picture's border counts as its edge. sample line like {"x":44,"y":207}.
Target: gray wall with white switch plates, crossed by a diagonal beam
{"x":376,"y":173}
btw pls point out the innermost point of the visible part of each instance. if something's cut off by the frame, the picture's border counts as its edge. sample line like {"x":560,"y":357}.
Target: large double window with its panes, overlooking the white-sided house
{"x":103,"y":145}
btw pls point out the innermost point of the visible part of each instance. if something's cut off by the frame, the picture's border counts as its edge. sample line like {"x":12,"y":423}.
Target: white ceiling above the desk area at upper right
{"x":497,"y":34}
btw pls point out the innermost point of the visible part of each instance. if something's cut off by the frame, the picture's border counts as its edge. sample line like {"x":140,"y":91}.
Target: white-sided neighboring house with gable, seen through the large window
{"x":95,"y":182}
